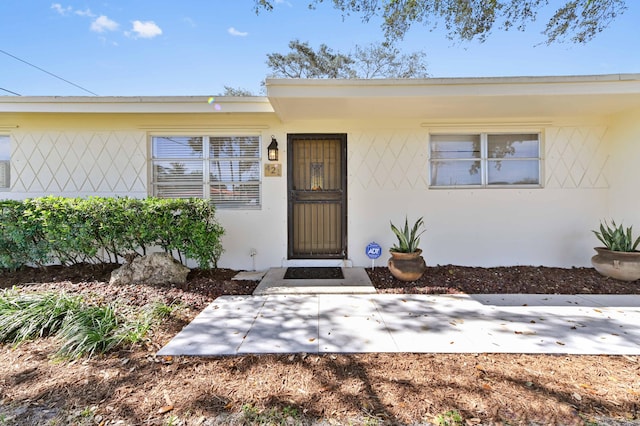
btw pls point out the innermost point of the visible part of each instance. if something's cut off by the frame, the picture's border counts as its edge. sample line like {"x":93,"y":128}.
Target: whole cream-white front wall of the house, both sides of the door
{"x":387,"y":178}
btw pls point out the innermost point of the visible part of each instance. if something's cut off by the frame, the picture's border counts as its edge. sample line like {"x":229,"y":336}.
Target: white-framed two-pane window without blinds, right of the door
{"x":484,"y":160}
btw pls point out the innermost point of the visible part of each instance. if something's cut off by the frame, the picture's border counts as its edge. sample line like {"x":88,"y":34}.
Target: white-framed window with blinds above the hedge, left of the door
{"x":222,"y":169}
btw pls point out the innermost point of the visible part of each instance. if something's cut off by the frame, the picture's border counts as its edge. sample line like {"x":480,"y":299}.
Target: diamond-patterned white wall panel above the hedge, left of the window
{"x":79,"y":163}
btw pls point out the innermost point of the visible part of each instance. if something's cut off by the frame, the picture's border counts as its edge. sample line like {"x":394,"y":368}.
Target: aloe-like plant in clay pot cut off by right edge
{"x":619,"y":258}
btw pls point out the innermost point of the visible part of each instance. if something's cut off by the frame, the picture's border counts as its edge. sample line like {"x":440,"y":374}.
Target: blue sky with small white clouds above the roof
{"x":196,"y":47}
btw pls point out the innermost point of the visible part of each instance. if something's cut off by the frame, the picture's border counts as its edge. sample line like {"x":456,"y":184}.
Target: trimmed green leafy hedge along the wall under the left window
{"x":69,"y":231}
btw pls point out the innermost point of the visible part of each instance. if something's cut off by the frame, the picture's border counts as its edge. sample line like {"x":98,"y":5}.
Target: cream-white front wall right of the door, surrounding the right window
{"x":388,"y":178}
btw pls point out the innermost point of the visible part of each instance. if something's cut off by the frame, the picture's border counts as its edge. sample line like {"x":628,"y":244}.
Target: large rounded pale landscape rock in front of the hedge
{"x":153,"y":269}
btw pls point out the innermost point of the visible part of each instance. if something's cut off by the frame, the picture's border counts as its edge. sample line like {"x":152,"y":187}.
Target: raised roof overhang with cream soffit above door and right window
{"x":457,"y":98}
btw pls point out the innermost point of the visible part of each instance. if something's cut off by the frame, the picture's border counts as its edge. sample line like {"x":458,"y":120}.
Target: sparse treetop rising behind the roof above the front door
{"x":372,"y":61}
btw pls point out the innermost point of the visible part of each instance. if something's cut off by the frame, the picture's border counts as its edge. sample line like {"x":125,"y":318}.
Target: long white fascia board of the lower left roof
{"x":135,"y":105}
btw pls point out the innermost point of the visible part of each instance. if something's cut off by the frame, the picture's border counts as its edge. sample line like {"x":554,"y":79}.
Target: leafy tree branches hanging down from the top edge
{"x":578,"y":21}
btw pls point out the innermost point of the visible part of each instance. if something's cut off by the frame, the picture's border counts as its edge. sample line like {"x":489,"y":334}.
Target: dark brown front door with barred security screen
{"x":317,"y":182}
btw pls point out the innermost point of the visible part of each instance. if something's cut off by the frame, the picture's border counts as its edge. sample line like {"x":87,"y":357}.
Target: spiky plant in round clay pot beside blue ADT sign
{"x":406,"y":262}
